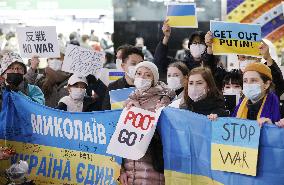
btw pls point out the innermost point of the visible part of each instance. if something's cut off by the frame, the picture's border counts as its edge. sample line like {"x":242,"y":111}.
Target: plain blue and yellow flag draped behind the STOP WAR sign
{"x":186,"y":138}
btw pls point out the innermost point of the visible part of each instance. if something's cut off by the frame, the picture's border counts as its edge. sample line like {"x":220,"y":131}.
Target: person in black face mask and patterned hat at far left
{"x":13,"y":70}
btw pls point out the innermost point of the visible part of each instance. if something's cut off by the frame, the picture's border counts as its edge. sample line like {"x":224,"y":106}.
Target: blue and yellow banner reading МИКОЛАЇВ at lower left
{"x":60,"y":147}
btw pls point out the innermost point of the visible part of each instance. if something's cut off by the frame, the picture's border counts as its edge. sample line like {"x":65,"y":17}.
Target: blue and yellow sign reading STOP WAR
{"x":234,"y":145}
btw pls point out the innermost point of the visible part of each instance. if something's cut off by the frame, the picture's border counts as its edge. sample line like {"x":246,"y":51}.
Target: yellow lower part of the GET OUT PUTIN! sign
{"x":225,"y":49}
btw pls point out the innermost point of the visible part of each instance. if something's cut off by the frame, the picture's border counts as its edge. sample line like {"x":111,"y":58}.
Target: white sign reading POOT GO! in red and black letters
{"x":133,"y":133}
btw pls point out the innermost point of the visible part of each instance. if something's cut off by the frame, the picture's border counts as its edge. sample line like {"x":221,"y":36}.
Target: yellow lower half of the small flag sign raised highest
{"x":182,"y":21}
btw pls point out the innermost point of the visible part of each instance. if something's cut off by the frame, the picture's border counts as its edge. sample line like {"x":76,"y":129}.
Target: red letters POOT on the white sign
{"x":139,"y":120}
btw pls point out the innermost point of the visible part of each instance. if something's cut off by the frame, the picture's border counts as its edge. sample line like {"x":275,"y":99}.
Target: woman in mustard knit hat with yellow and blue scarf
{"x":259,"y":102}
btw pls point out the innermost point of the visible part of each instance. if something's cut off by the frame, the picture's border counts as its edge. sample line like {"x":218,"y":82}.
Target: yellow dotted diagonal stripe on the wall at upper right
{"x":244,"y":9}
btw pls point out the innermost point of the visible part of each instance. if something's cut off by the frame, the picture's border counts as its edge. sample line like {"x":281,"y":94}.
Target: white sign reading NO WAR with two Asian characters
{"x":39,"y":41}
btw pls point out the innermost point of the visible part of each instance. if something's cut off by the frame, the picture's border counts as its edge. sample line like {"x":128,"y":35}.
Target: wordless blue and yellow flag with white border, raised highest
{"x":182,"y":15}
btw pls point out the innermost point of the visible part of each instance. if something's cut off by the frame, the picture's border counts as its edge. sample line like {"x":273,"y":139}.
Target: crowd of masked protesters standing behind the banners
{"x":194,"y":80}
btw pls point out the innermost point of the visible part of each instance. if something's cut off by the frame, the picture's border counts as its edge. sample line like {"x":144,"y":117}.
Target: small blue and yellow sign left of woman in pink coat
{"x":118,"y":97}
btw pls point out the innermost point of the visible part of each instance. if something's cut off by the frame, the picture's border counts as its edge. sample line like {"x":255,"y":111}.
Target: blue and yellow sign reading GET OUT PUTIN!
{"x":243,"y":39}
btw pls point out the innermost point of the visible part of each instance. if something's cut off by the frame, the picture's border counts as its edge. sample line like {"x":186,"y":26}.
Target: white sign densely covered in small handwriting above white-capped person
{"x":82,"y":60}
